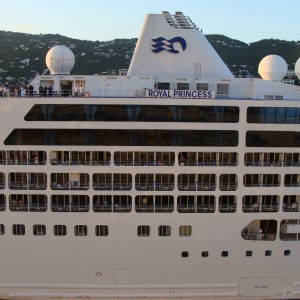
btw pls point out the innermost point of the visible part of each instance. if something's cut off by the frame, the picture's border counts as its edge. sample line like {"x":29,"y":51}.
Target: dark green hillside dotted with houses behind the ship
{"x":23,"y":55}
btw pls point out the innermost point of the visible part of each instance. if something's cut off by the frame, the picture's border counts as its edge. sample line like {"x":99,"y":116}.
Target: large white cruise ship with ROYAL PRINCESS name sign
{"x":172,"y":180}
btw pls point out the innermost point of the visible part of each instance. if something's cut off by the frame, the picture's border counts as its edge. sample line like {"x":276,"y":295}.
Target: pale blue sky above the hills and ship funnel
{"x":245,"y":20}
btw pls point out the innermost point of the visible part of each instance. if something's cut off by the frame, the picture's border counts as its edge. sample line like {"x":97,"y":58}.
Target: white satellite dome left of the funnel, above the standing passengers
{"x":60,"y":60}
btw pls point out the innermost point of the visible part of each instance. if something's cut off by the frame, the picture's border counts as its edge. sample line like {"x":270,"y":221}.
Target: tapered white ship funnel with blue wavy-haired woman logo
{"x":172,"y":46}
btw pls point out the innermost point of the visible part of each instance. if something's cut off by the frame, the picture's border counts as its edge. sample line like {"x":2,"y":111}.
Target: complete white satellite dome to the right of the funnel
{"x":272,"y":67}
